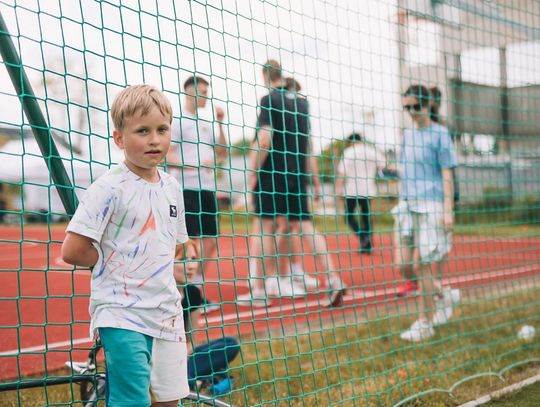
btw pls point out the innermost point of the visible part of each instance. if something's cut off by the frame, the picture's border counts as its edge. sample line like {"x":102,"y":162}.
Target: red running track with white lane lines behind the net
{"x":44,"y":304}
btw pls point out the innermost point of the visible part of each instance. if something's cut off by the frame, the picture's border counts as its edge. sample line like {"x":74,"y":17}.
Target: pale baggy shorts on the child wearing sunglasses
{"x":423,"y":231}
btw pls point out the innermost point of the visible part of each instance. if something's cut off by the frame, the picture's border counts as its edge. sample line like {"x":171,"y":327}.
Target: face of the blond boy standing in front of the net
{"x":145,"y":141}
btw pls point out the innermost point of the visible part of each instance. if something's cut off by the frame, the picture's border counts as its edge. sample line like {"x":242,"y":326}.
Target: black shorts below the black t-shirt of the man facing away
{"x":291,"y":205}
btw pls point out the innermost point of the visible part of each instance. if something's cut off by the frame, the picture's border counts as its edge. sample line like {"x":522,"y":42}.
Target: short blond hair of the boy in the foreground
{"x":138,"y":99}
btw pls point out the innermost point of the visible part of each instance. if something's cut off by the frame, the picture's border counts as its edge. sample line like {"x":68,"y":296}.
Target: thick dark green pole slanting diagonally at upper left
{"x":36,"y":119}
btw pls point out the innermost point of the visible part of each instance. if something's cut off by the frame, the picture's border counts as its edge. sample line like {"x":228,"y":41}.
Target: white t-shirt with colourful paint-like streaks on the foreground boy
{"x":136,"y":225}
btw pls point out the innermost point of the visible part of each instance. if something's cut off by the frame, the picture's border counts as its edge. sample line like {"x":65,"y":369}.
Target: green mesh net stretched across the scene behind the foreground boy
{"x":331,"y":279}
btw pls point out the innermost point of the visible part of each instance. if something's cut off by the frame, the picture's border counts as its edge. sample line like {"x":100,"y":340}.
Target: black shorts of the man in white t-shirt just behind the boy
{"x":201,"y":213}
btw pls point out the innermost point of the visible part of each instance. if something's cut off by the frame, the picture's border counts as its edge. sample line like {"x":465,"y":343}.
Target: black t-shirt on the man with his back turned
{"x":287,"y":114}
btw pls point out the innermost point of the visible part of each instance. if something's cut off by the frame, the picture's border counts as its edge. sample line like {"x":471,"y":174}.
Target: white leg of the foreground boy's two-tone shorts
{"x":168,"y":378}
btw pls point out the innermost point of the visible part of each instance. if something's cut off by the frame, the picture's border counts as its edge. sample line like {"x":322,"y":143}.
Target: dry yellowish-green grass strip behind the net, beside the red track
{"x":358,"y":359}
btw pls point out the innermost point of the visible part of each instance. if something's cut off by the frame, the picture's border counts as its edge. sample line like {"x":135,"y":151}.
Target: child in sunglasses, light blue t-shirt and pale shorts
{"x":424,"y":214}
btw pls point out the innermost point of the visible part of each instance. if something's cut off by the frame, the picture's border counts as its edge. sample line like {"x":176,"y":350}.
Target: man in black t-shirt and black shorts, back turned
{"x":280,"y":176}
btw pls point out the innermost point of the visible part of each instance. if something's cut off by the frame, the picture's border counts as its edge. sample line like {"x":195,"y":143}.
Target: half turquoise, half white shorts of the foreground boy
{"x":137,"y":363}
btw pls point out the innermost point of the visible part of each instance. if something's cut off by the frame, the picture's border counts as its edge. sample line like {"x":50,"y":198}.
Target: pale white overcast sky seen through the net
{"x":343,"y":52}
